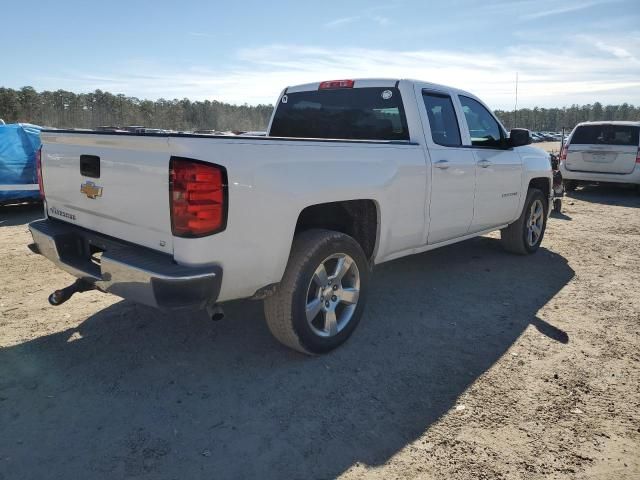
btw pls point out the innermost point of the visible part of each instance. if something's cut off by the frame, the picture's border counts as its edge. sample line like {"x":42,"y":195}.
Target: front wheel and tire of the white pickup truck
{"x":516,"y":237}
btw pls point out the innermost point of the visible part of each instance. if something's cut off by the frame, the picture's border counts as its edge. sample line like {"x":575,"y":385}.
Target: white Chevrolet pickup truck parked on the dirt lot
{"x":352,"y":173}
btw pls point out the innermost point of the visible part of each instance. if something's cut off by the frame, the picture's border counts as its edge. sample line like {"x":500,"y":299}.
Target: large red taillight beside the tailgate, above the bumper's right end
{"x":198,"y":193}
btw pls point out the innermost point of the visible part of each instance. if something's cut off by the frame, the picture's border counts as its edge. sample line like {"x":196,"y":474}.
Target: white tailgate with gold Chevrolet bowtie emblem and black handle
{"x":122,"y":190}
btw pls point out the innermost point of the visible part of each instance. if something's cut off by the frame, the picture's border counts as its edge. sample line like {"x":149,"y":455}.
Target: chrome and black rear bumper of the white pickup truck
{"x":129,"y":271}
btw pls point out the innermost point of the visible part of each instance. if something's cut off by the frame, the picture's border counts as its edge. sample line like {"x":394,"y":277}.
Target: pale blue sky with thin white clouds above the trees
{"x":563,"y":52}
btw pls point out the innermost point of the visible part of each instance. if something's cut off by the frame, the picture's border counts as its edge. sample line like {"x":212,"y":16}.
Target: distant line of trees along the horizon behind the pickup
{"x":63,"y":109}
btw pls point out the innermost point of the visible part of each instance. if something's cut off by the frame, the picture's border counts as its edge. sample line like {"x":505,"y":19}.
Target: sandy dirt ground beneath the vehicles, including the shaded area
{"x":469,"y":363}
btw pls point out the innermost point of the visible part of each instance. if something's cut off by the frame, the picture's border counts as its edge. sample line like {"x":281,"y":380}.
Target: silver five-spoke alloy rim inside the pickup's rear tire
{"x":332,"y":298}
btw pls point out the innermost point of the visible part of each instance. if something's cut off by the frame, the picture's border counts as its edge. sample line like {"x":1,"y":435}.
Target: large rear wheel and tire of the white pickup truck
{"x":303,"y":284}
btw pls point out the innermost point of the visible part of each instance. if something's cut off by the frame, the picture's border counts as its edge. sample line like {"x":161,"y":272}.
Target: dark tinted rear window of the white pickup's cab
{"x":373,"y":113}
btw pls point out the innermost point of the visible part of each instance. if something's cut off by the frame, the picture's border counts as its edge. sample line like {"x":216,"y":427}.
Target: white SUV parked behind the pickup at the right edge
{"x":602,"y":152}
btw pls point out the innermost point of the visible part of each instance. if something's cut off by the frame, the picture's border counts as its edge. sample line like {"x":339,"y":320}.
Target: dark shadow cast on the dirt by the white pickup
{"x":136,"y":392}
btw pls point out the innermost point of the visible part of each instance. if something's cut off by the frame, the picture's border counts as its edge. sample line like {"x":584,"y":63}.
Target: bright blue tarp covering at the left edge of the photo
{"x":19,"y":143}
